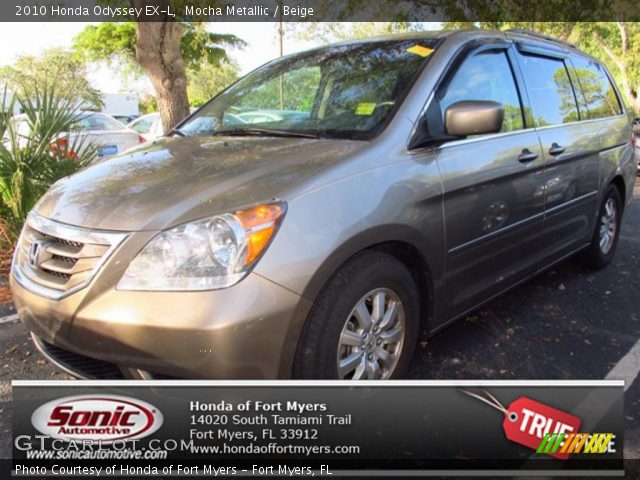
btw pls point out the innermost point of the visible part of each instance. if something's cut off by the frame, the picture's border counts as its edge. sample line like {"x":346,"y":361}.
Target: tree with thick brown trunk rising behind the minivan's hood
{"x":163,"y":50}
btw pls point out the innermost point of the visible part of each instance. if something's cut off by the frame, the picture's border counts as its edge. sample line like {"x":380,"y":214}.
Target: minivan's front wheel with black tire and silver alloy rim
{"x":336,"y":330}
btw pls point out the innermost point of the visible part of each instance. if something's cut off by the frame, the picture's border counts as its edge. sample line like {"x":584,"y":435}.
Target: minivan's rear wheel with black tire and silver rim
{"x":607,"y":233}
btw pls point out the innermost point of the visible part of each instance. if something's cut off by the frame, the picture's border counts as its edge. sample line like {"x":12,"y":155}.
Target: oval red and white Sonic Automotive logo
{"x":104,"y":418}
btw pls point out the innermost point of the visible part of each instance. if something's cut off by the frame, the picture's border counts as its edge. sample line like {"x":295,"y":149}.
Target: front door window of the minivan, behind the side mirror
{"x":486,"y":76}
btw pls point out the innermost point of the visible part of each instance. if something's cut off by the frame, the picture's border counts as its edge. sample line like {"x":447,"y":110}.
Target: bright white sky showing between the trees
{"x":31,"y":38}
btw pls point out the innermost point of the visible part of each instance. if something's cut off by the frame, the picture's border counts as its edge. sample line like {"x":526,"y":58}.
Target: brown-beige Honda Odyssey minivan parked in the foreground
{"x":314,"y":217}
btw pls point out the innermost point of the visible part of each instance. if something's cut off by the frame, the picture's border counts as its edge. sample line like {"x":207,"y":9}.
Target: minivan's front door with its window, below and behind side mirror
{"x":493,"y":195}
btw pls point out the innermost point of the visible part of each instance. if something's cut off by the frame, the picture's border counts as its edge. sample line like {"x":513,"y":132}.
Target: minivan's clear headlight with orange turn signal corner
{"x":204,"y":255}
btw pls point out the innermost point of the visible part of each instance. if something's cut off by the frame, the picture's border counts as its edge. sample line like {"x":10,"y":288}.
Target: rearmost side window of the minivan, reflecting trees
{"x":597,"y":89}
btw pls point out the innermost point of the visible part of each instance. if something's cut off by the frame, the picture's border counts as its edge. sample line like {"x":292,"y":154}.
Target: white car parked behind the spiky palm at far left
{"x":106,"y":133}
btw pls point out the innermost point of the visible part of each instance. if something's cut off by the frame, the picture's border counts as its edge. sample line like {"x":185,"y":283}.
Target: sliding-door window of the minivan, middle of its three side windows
{"x":550,"y":90}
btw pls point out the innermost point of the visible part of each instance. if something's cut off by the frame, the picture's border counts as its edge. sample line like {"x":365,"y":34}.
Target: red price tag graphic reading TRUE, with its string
{"x":527,"y":421}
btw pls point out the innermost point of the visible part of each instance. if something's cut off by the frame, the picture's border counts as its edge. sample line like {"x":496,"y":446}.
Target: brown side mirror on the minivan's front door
{"x":473,"y":117}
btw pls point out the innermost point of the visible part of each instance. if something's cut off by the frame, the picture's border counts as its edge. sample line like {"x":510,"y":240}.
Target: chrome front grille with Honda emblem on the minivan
{"x":55,"y":259}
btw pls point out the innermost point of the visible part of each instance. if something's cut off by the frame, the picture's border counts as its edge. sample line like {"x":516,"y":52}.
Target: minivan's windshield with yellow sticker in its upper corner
{"x":344,"y":91}
